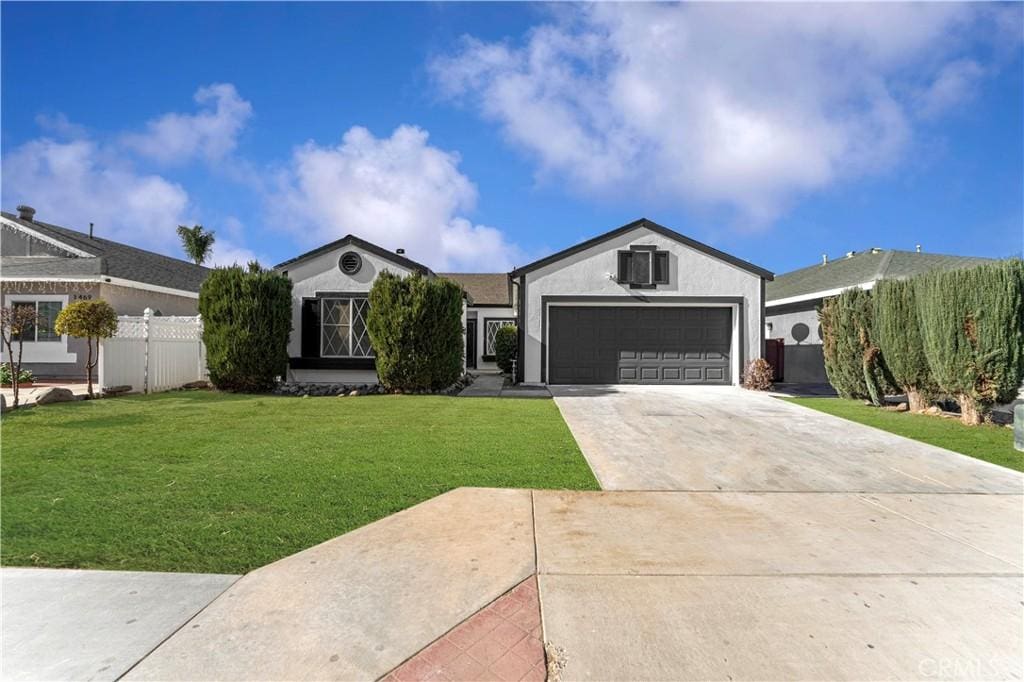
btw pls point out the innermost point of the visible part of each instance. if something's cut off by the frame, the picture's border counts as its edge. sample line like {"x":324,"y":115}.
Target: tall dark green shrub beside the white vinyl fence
{"x":247,"y":319}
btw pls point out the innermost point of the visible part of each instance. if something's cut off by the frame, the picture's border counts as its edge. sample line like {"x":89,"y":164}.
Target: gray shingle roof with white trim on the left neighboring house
{"x":106,"y":259}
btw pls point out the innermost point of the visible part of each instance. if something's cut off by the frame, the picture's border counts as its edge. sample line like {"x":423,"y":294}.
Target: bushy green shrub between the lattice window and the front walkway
{"x":415,"y":325}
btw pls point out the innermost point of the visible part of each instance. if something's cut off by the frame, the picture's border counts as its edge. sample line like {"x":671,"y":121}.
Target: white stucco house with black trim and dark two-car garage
{"x":639,"y":305}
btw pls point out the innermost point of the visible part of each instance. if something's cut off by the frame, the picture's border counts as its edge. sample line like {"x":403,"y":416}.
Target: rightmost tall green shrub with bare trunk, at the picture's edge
{"x":972,"y":323}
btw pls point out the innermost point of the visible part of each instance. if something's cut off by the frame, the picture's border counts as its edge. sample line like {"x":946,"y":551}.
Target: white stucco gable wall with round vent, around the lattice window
{"x":321,"y":274}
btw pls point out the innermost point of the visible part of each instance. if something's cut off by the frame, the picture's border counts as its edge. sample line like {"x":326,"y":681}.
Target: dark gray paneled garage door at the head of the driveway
{"x":639,"y":346}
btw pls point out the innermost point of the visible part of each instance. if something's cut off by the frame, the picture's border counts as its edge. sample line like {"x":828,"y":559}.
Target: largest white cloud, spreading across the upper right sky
{"x":718,"y":104}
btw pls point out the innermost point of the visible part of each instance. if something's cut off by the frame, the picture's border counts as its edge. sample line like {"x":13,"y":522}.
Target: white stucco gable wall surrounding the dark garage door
{"x":592,"y":273}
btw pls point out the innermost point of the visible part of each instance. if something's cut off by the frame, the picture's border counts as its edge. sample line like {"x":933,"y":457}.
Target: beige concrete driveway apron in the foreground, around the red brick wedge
{"x":661,"y":586}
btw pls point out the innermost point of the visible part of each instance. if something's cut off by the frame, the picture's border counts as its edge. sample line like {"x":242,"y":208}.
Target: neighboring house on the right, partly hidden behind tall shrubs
{"x":794,"y":300}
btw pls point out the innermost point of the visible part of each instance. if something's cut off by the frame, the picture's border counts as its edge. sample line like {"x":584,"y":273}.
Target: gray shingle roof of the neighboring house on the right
{"x":859,"y":270}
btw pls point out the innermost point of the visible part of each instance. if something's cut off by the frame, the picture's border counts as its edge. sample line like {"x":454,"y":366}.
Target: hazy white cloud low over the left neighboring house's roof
{"x":77,"y":183}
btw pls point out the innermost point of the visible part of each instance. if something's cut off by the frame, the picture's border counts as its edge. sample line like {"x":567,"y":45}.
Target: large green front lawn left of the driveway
{"x":206,"y":482}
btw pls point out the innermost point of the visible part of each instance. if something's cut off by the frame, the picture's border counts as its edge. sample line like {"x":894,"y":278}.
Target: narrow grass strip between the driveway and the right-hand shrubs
{"x":989,"y":443}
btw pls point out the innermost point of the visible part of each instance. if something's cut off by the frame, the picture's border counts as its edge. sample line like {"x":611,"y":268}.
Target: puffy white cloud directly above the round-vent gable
{"x":398,"y":192}
